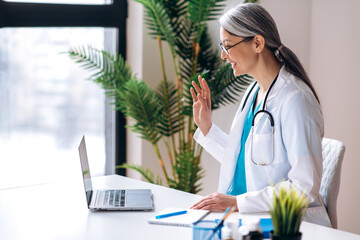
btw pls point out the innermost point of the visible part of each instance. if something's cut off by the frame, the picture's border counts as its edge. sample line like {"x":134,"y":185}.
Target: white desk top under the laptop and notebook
{"x":59,"y":211}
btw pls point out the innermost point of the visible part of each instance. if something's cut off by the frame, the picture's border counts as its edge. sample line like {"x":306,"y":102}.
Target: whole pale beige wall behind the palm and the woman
{"x":325,"y":34}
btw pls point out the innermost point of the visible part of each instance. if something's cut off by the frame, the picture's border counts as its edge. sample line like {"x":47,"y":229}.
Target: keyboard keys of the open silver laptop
{"x":111,"y":198}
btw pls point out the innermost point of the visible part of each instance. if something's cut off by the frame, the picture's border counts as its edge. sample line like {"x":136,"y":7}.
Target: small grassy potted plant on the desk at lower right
{"x":287,"y":212}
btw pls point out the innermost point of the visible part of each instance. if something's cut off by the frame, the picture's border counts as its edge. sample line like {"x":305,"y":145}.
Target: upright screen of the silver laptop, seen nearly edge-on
{"x":85,"y":169}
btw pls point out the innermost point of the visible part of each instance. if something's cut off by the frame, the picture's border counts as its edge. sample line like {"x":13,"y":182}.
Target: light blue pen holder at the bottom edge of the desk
{"x":204,"y":230}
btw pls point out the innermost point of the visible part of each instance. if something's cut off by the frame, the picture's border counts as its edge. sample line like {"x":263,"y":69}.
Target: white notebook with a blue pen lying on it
{"x":184,"y":220}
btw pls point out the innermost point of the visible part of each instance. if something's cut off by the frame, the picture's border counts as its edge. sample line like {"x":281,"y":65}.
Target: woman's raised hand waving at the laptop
{"x":202,"y":105}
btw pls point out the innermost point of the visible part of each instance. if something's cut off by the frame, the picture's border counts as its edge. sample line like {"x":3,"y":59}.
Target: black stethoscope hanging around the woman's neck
{"x":269,"y":116}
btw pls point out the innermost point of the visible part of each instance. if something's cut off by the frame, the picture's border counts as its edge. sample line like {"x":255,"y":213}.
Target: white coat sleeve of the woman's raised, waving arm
{"x":214,"y":142}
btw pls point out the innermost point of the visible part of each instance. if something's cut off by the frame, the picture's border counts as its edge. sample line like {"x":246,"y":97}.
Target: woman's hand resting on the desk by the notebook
{"x":216,"y":201}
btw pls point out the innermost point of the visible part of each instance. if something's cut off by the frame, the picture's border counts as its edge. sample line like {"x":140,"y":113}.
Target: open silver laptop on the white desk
{"x":112,"y":199}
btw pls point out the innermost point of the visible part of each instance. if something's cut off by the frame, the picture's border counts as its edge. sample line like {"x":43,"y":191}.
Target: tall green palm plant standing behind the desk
{"x":165,"y":114}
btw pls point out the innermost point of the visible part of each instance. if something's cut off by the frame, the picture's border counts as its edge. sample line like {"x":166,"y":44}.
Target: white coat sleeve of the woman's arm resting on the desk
{"x":302,"y":132}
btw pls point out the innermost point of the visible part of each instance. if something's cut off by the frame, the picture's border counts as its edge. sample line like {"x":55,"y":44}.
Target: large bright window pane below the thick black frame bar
{"x":46,"y":105}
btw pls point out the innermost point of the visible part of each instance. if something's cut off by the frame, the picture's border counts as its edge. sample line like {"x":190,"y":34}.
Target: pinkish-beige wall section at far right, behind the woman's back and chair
{"x":335,"y":71}
